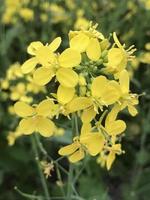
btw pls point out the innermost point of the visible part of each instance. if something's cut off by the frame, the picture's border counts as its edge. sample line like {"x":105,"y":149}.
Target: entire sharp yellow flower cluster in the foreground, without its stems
{"x":91,"y":81}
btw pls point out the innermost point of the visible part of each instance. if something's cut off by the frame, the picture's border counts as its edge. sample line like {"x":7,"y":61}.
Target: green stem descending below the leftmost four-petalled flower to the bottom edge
{"x":42,"y":177}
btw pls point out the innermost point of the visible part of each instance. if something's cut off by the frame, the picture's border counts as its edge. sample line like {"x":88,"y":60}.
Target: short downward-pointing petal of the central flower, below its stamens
{"x":88,"y":115}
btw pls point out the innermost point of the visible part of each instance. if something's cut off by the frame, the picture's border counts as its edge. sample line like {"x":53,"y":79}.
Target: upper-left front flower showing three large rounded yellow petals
{"x":65,"y":75}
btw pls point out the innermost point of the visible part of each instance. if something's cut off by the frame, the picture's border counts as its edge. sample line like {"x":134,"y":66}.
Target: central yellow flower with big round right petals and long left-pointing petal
{"x":103,"y":93}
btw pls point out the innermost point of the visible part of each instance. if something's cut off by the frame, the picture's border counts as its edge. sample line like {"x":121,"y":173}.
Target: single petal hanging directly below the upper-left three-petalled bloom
{"x":64,"y":95}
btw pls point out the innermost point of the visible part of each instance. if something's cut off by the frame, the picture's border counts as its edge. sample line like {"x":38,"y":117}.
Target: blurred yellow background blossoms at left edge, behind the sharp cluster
{"x":16,"y":85}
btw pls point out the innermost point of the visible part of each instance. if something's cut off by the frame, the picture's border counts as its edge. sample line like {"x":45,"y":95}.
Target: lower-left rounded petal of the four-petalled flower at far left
{"x":27,"y":126}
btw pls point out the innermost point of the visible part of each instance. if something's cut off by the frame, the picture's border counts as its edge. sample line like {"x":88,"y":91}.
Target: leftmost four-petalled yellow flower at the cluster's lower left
{"x":36,"y":119}
